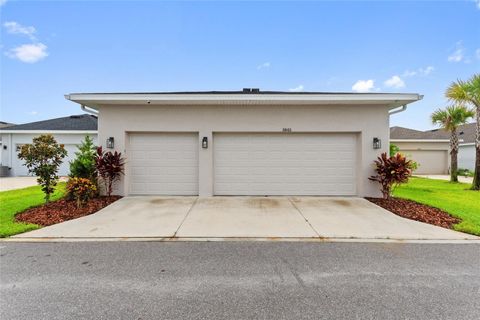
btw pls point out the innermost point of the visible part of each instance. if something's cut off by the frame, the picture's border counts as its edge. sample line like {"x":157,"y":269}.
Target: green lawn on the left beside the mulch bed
{"x":15,"y":201}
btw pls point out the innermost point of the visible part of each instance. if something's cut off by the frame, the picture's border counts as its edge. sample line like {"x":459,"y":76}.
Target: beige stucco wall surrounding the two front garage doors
{"x":367,"y":121}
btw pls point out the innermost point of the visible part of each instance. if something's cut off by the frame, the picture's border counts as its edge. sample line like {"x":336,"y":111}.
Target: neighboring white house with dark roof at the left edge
{"x":69,"y":131}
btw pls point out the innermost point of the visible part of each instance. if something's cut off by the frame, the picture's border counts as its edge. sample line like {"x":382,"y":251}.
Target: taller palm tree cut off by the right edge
{"x":468,"y":92}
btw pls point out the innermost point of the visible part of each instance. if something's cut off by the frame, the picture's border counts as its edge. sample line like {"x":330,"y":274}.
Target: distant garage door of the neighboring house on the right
{"x":429,"y":161}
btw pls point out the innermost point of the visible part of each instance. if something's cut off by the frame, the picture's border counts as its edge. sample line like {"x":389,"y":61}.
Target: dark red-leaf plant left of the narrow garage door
{"x":110,"y":167}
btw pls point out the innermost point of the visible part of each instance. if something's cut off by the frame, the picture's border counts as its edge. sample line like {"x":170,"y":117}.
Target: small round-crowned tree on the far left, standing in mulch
{"x":43,"y":158}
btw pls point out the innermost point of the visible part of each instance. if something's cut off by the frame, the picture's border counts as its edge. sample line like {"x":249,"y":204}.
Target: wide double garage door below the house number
{"x":284,"y":164}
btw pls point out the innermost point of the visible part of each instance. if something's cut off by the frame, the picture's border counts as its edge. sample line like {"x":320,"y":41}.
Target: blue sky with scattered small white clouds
{"x":50,"y":48}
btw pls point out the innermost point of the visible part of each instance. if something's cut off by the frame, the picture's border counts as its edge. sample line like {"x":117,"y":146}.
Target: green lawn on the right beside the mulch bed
{"x":454,"y":198}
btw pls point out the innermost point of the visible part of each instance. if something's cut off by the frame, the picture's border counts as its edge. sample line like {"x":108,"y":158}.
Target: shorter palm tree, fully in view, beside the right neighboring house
{"x":449,"y":119}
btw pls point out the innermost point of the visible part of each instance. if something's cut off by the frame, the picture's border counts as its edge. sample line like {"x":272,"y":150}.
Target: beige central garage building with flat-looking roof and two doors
{"x":247,"y":142}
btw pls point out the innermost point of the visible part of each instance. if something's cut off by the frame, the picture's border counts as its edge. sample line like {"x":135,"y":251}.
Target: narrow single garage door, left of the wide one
{"x":163,"y":163}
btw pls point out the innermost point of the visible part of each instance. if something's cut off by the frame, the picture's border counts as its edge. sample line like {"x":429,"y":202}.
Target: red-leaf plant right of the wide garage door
{"x":391,"y":171}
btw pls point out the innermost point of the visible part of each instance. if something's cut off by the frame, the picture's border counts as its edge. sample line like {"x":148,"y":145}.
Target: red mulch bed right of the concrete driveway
{"x":416,"y":211}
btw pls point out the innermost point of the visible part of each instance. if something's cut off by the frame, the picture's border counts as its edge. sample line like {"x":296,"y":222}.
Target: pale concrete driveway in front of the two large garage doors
{"x":245,"y":217}
